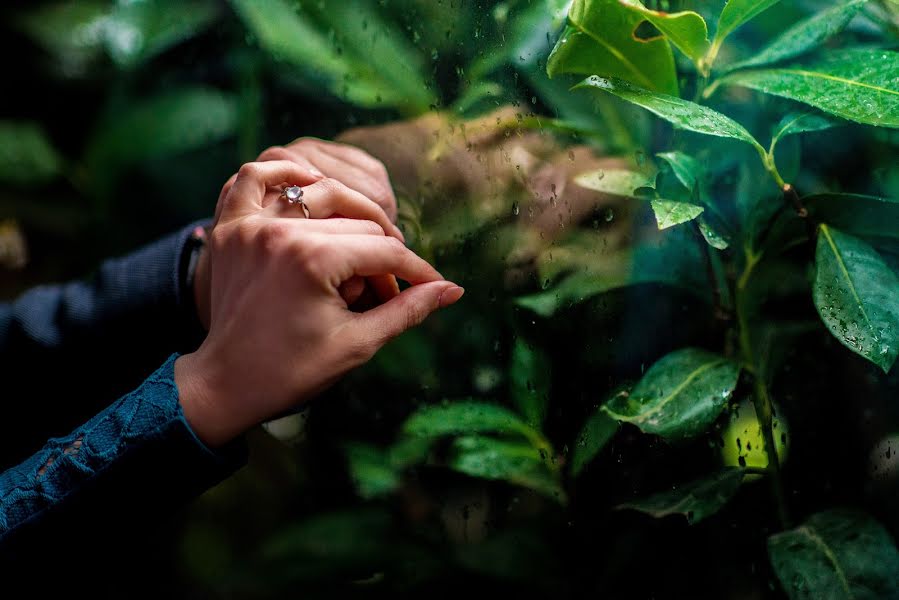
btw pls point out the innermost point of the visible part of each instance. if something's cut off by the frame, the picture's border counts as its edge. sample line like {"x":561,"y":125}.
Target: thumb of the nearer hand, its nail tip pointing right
{"x":383,"y":323}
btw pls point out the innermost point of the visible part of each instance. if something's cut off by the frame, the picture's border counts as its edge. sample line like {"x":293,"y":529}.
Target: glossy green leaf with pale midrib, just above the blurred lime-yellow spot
{"x":680,"y":396}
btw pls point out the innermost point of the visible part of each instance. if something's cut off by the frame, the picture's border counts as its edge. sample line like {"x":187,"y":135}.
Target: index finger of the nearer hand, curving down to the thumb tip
{"x":369,"y":255}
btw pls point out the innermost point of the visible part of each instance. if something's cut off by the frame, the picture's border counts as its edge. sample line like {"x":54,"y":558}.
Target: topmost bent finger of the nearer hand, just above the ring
{"x":252,"y":181}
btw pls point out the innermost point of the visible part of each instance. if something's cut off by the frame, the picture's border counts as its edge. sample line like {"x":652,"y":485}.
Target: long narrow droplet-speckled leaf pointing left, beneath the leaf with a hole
{"x":681,"y":113}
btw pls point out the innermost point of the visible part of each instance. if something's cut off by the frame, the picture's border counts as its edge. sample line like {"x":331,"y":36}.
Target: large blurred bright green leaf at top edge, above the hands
{"x":365,"y":61}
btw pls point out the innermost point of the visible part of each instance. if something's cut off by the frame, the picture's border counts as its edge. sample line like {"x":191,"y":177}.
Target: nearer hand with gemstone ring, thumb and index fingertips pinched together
{"x":280,"y":331}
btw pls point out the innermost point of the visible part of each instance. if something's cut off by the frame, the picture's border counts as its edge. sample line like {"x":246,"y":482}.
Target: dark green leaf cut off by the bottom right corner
{"x":836,"y":554}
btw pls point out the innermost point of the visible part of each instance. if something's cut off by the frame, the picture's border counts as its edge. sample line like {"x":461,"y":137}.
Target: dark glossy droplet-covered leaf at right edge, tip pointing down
{"x":857,"y":296}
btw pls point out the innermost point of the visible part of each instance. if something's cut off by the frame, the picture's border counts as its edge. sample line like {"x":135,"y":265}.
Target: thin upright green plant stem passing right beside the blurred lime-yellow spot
{"x":764,"y":409}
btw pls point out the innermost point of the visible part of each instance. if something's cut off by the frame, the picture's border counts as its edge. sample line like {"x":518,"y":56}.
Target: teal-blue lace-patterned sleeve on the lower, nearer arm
{"x":138,"y":453}
